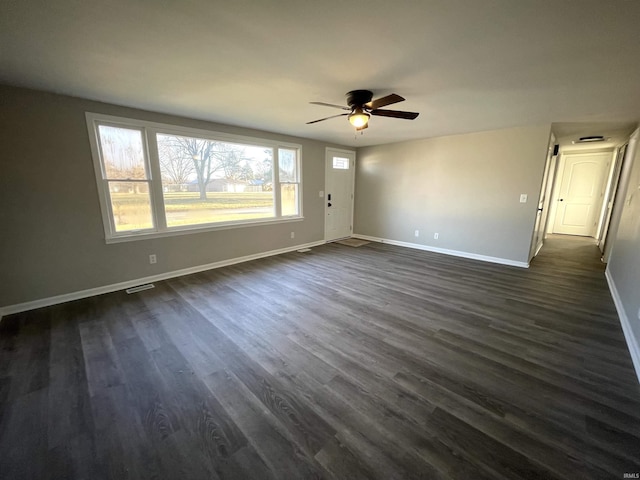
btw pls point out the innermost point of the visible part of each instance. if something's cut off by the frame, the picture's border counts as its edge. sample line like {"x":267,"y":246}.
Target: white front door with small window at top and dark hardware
{"x":339,"y":178}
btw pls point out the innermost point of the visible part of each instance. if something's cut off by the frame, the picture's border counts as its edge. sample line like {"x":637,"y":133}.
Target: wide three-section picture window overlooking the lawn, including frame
{"x":157,"y":180}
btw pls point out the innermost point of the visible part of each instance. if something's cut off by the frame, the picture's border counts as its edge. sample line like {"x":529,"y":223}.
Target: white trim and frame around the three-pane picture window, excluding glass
{"x":160,"y":229}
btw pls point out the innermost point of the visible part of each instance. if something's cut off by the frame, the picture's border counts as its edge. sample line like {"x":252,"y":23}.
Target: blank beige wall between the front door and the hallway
{"x":464,"y":187}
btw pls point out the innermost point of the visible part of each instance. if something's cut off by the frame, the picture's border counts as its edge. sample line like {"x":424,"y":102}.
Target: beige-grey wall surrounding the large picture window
{"x":51,"y":233}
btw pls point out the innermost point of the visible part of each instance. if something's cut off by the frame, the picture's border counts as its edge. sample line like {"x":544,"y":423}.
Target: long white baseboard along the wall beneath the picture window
{"x":67,"y":297}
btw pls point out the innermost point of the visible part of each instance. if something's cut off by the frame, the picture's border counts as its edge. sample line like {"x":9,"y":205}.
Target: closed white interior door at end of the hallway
{"x":581,"y":193}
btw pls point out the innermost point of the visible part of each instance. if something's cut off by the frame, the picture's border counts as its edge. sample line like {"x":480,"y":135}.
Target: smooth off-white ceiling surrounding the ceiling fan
{"x":465,"y":65}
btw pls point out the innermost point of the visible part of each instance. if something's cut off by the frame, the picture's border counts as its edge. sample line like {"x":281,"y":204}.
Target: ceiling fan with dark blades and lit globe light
{"x":361,"y":107}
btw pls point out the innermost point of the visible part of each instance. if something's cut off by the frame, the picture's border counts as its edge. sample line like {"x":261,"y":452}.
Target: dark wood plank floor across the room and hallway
{"x":375,"y":362}
